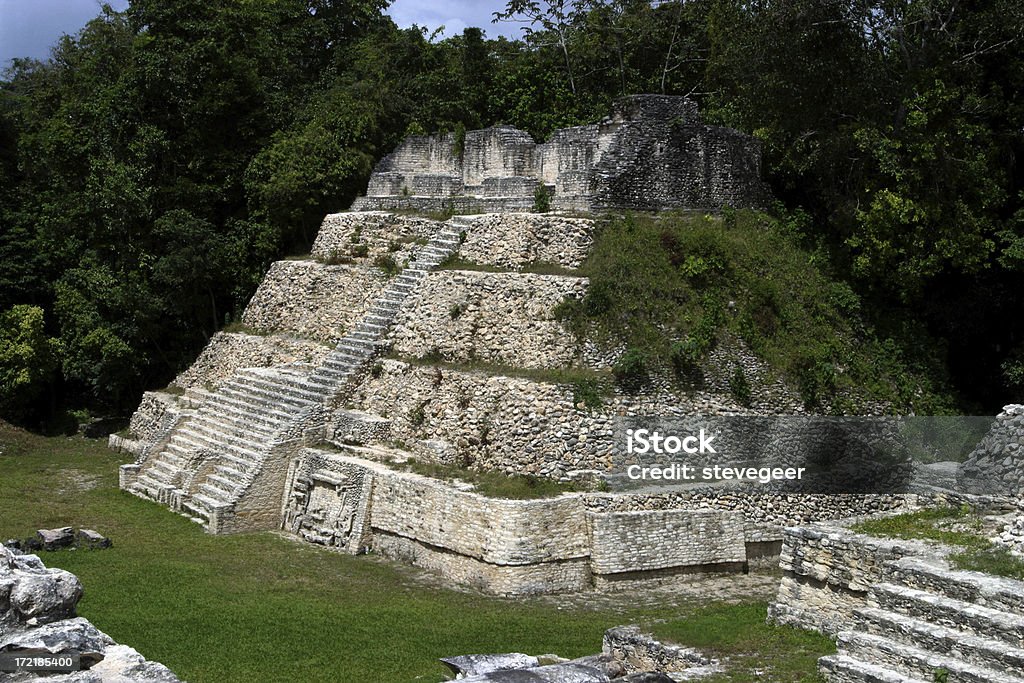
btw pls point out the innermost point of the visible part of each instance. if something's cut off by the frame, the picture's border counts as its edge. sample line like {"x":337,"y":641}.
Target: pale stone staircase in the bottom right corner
{"x":928,"y":624}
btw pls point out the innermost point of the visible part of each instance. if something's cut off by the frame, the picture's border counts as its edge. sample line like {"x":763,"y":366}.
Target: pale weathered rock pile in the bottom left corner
{"x":37,"y":618}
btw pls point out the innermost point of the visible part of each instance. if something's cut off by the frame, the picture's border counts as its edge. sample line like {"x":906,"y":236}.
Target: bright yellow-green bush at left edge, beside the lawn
{"x":28,"y":360}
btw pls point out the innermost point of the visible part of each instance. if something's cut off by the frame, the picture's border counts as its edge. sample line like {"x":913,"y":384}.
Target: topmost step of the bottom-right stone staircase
{"x":975,"y":587}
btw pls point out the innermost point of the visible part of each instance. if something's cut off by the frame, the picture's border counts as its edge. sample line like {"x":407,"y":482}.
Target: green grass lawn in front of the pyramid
{"x":264,"y":608}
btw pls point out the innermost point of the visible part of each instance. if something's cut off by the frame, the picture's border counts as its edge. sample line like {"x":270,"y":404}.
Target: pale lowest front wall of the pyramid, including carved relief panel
{"x":500,"y":546}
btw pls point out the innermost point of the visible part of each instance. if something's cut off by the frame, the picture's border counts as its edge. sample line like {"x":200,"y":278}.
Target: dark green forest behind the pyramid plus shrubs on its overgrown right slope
{"x":175,"y":150}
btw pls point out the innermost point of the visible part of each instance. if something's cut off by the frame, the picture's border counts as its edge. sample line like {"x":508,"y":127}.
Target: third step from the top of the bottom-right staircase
{"x":934,"y":638}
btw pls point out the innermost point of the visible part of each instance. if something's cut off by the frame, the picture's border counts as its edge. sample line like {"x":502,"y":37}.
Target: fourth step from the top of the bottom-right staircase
{"x":913,"y":662}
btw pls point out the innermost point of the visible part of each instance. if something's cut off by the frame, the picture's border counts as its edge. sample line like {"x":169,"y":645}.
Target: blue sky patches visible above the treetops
{"x":29,"y":28}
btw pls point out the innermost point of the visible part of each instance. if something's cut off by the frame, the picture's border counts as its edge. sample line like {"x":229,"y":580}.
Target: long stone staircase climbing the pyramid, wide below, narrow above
{"x":214,"y":456}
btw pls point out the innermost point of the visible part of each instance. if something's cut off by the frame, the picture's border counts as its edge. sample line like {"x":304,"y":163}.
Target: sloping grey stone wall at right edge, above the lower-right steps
{"x":997,"y":465}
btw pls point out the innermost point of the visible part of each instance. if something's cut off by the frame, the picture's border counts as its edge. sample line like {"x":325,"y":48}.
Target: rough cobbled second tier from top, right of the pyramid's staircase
{"x":498,"y":318}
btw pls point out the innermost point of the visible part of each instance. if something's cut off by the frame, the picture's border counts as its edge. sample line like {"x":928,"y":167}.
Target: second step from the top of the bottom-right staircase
{"x":950,"y":613}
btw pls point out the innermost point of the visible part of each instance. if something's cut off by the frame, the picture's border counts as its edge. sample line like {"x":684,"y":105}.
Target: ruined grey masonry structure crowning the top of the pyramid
{"x":653,"y":153}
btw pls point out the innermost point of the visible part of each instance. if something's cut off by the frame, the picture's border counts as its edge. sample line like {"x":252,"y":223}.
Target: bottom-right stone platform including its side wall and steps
{"x":901,"y":613}
